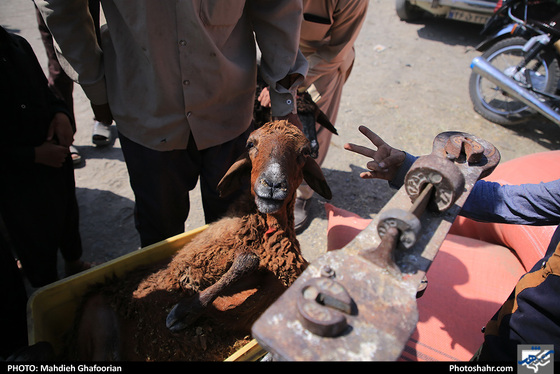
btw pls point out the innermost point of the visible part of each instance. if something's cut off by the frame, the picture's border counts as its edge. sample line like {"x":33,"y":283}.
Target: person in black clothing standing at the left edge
{"x":38,"y":207}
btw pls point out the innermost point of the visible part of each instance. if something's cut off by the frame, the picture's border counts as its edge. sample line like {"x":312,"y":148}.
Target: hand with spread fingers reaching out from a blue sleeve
{"x":386,"y":160}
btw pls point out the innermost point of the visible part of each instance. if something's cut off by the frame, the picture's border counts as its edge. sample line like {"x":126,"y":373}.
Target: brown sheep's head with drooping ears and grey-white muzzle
{"x":277,"y":160}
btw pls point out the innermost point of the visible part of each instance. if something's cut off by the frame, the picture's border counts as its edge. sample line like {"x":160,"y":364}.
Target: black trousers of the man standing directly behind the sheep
{"x":161,"y":182}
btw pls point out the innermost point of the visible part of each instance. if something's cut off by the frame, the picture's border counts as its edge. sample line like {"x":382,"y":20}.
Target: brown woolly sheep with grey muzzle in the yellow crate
{"x":223,"y":280}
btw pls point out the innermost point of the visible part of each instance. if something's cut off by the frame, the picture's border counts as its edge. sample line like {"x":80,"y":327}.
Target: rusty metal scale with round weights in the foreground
{"x":359,"y":302}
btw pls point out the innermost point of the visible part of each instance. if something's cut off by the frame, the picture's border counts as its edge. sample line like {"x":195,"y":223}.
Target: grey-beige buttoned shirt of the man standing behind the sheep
{"x":169,"y":68}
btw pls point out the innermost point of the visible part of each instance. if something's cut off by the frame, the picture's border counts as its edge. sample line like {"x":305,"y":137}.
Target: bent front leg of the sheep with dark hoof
{"x":187,"y":311}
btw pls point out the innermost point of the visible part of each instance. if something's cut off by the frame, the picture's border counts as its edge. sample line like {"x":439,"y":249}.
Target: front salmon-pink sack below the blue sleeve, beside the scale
{"x":467,"y":283}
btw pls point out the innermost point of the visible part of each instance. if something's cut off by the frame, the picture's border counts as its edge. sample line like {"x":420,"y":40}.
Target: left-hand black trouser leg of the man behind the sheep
{"x":161,"y":182}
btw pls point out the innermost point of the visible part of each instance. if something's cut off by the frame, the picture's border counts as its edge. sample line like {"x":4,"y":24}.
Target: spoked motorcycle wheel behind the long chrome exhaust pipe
{"x":493,"y":103}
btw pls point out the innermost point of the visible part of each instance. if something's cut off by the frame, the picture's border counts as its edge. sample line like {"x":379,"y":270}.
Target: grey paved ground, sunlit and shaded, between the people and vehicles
{"x":409,"y":83}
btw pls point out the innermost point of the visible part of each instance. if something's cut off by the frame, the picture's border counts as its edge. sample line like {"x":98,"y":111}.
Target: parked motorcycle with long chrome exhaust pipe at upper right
{"x":518,"y":73}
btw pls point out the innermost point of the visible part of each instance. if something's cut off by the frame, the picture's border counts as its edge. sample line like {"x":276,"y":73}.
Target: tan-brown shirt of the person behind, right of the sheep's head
{"x":328,"y":33}
